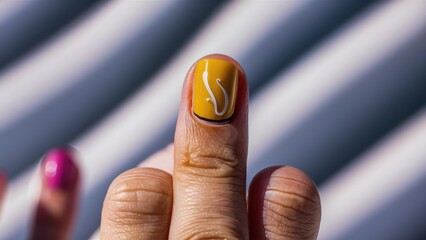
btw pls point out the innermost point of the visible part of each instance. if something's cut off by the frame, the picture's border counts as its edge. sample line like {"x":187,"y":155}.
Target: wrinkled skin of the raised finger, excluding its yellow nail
{"x":210,"y":167}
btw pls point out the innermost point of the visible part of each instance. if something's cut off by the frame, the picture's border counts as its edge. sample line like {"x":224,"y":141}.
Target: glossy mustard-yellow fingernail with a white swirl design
{"x":215,"y":89}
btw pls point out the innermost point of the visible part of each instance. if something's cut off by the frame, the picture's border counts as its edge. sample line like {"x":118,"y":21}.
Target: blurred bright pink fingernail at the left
{"x":59,"y":169}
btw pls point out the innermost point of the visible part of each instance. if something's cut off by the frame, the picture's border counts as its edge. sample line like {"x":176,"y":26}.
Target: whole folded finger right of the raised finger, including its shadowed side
{"x":283,"y":203}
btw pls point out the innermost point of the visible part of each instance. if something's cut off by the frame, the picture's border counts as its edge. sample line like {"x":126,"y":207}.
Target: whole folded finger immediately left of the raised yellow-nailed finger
{"x":138,"y":205}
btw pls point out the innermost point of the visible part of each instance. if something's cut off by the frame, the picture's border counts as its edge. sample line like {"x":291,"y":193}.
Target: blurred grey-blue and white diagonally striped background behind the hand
{"x":338,"y":89}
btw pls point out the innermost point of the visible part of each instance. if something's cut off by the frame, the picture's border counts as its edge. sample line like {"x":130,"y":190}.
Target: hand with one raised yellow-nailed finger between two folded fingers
{"x":206,"y":196}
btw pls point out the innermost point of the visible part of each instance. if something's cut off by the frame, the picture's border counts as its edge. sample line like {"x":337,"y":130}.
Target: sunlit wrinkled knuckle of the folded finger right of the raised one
{"x":291,"y":206}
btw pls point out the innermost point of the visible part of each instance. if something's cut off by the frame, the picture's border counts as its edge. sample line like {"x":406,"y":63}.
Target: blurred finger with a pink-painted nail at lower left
{"x":58,"y":198}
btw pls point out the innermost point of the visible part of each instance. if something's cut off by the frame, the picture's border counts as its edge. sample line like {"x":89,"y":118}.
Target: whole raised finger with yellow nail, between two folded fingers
{"x":210,"y":153}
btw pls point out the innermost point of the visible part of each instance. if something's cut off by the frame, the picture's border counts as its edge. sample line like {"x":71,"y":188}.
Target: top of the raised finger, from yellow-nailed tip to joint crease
{"x":213,"y":117}
